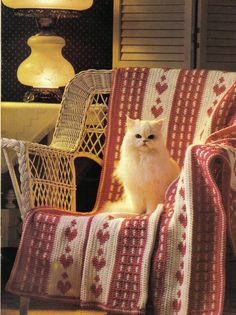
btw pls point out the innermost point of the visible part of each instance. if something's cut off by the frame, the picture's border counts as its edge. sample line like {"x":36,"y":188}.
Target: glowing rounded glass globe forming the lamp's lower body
{"x":45,"y":67}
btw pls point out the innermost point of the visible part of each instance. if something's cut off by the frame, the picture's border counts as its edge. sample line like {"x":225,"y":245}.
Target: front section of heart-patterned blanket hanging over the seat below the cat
{"x":93,"y":261}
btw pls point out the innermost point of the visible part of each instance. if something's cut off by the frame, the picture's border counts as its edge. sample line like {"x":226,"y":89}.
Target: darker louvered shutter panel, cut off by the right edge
{"x":217,"y":35}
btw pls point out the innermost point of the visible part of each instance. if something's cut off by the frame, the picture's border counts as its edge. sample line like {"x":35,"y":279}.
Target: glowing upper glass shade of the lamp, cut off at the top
{"x":49,"y":4}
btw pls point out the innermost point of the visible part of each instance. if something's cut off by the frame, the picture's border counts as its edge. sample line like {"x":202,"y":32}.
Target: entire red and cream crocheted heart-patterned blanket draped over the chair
{"x":169,"y":262}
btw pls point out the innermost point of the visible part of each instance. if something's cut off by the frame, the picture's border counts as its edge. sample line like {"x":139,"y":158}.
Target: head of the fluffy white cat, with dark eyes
{"x":143,"y":135}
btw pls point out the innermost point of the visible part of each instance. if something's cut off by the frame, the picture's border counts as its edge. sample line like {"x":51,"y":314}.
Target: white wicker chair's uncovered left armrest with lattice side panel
{"x":47,"y":175}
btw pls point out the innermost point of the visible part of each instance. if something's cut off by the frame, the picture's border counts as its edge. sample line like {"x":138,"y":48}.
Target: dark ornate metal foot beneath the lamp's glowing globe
{"x":43,"y":95}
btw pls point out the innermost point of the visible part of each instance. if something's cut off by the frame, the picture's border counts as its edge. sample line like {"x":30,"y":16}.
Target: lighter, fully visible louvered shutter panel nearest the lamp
{"x":153,"y":33}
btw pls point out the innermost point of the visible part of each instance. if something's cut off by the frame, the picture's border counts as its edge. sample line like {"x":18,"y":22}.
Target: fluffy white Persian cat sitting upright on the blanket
{"x":145,"y":168}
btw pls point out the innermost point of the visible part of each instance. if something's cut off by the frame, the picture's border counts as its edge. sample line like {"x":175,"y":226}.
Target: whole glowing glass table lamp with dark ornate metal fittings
{"x":45,"y":69}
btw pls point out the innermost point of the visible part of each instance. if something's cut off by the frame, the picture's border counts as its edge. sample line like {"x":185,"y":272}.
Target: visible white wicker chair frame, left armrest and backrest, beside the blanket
{"x":47,"y":173}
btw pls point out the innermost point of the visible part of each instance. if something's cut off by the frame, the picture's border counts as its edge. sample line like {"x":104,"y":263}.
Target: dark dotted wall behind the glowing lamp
{"x":88,"y":43}
